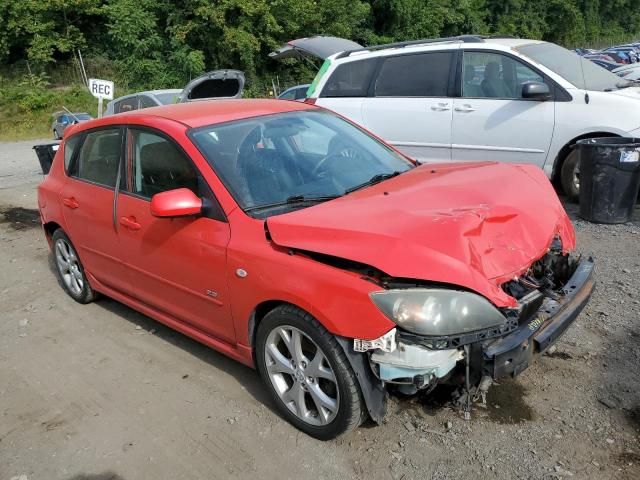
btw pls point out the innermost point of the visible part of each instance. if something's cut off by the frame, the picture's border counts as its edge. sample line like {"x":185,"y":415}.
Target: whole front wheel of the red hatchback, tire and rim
{"x":308,"y":374}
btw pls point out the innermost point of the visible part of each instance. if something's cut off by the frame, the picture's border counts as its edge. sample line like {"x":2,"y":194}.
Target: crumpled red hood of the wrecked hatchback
{"x":473,"y":225}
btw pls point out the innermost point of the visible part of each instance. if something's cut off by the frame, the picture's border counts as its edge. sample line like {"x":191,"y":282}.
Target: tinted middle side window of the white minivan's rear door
{"x":420,"y":75}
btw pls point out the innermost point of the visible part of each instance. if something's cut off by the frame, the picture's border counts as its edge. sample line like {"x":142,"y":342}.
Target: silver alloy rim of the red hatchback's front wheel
{"x":301,"y":375}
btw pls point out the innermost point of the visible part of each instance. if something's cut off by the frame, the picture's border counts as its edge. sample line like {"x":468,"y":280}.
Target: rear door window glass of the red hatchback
{"x":100,"y":156}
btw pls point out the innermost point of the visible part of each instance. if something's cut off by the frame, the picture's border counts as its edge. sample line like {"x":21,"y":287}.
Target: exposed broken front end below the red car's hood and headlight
{"x":413,"y":363}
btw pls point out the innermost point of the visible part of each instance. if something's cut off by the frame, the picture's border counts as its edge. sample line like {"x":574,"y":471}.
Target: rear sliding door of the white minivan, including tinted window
{"x":411,"y":104}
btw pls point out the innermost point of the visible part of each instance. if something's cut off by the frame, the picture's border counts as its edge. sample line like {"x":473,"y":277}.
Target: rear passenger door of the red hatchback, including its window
{"x":87,"y":199}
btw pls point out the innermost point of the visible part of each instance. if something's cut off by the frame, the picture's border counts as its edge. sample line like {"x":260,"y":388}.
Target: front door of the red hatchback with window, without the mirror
{"x":177,"y":265}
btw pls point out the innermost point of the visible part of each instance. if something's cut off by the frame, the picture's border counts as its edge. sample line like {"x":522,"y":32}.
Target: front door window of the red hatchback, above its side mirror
{"x":158,"y":166}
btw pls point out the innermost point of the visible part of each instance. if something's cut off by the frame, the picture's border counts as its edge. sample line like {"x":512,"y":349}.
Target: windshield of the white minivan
{"x":580,"y":72}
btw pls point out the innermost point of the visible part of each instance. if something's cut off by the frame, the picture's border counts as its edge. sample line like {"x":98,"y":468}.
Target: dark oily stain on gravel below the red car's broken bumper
{"x":506,"y":403}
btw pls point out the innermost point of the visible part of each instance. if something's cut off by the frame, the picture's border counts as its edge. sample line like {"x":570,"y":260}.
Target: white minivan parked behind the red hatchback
{"x":479,"y":98}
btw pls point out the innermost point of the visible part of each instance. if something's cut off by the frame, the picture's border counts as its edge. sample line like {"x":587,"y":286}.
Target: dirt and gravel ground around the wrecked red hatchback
{"x":100,"y":392}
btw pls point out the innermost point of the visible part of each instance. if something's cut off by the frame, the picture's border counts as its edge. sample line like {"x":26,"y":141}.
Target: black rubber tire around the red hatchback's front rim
{"x":351,"y":410}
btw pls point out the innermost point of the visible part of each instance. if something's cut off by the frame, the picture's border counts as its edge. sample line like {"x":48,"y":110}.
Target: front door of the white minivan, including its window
{"x":491,"y":120}
